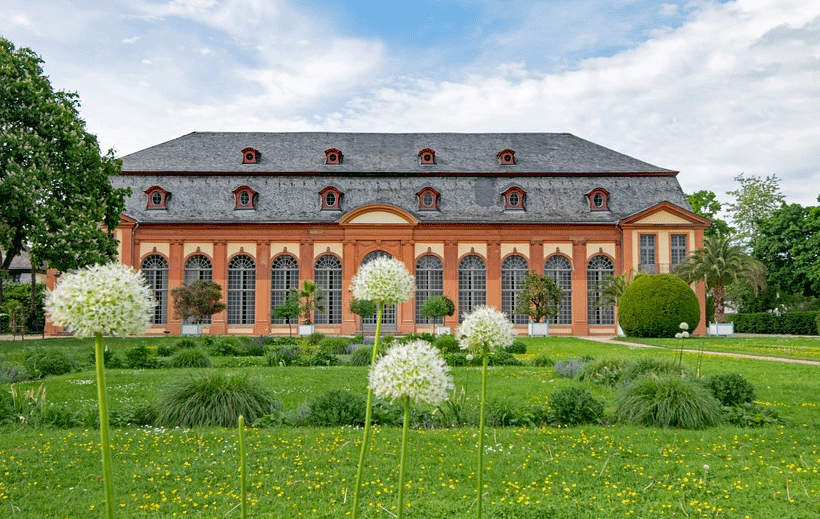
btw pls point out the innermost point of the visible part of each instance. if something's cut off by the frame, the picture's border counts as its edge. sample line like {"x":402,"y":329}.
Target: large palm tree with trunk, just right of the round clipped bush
{"x":720,"y":263}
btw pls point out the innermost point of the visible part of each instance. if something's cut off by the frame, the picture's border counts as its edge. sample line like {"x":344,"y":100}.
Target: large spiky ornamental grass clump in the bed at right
{"x":668,"y":402}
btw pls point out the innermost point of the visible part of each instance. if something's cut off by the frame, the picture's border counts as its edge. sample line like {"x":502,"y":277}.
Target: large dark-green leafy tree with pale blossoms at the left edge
{"x":54,"y":182}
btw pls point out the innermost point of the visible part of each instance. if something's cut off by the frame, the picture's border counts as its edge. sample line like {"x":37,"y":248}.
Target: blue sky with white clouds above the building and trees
{"x":713,"y":89}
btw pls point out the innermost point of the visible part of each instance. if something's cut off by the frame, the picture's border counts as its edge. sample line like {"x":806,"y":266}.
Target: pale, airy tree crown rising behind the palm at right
{"x":755,"y":200}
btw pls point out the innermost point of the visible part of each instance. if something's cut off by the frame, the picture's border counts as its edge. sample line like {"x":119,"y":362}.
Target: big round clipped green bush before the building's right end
{"x":654,"y":306}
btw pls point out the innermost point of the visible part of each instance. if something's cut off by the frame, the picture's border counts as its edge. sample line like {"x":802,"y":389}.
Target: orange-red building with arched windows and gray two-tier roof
{"x":468,"y":214}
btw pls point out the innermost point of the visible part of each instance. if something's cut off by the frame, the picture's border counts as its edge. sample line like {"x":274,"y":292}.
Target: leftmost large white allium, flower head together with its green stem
{"x":102,"y":299}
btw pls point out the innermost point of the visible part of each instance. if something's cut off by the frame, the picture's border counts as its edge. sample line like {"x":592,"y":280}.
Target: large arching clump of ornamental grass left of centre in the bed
{"x":213,"y":399}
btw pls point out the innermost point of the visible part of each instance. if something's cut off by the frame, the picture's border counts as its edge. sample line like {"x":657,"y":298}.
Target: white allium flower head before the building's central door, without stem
{"x":383,"y":280}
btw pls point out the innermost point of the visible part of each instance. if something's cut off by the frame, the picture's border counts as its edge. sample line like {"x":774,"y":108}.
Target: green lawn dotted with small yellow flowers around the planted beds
{"x":580,"y":472}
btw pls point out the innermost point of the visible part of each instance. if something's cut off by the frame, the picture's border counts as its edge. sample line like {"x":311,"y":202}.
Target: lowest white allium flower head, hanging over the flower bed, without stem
{"x":415,"y":370}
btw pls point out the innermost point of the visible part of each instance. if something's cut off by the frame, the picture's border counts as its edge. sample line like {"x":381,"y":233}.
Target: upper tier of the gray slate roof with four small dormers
{"x":383,"y":153}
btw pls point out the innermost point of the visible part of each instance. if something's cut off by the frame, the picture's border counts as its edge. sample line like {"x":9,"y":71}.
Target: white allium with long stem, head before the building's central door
{"x":383,"y":280}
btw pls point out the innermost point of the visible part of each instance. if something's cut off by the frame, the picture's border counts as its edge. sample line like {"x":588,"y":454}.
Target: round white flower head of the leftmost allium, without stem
{"x":109,"y":299}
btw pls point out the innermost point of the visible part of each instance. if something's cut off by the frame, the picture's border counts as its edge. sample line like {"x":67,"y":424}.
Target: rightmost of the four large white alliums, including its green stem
{"x":483,"y":332}
